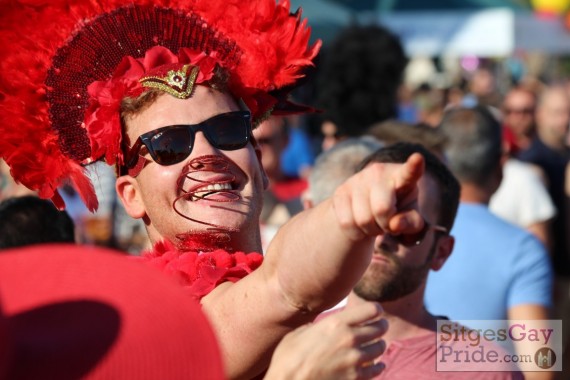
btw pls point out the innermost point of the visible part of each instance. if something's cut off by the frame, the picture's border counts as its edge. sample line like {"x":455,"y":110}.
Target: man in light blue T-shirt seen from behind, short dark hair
{"x":498,"y":271}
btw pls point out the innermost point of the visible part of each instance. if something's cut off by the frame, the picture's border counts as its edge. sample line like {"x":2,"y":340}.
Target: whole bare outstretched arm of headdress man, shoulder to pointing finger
{"x":312,"y":263}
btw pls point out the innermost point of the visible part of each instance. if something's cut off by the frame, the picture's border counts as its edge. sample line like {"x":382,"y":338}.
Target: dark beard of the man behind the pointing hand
{"x":393,"y":282}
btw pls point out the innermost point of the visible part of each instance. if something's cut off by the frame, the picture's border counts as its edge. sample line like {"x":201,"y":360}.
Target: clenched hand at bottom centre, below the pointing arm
{"x":344,"y":345}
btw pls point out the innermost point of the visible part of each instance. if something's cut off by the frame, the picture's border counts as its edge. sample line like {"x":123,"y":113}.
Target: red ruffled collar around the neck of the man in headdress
{"x":200,"y":272}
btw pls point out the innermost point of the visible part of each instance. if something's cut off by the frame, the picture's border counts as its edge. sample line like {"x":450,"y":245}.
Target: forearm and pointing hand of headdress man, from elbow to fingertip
{"x":336,"y":237}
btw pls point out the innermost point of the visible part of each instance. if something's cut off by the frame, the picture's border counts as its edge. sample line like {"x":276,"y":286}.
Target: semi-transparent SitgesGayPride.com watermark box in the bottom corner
{"x":499,"y":345}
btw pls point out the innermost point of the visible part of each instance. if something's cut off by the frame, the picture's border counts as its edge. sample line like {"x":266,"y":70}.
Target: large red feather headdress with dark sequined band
{"x":66,"y":64}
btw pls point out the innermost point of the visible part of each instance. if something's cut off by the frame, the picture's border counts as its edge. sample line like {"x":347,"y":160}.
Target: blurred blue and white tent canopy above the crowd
{"x":471,"y":28}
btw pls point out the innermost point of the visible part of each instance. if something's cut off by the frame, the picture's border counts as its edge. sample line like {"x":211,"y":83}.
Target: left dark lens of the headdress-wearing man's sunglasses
{"x":172,"y":145}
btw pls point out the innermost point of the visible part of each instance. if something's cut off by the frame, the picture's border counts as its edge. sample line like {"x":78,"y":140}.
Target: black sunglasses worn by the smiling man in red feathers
{"x":173,"y":144}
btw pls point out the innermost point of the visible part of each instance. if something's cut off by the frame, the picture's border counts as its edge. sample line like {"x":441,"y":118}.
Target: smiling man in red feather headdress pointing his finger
{"x":168,"y":92}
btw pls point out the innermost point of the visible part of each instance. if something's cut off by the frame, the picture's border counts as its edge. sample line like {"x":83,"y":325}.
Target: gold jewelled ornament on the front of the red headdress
{"x":178,"y":83}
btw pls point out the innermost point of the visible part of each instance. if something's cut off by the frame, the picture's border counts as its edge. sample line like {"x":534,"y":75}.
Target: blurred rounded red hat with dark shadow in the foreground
{"x":76,"y":312}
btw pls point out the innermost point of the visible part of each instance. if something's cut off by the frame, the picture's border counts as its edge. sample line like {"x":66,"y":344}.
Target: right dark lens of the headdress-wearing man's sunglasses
{"x":229,"y":132}
